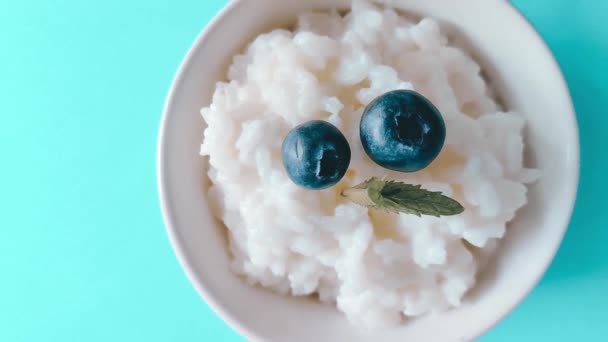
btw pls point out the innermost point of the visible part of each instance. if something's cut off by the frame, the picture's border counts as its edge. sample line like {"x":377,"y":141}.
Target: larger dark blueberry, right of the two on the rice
{"x":402,"y":131}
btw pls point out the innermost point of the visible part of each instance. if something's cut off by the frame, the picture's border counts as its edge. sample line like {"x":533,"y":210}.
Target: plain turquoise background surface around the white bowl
{"x":83,"y":252}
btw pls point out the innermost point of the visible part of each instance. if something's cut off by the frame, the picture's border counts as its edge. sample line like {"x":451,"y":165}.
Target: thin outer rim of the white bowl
{"x":169,"y":219}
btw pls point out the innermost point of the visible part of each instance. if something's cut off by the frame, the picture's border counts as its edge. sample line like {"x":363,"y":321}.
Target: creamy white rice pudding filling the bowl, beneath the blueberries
{"x":378,"y":268}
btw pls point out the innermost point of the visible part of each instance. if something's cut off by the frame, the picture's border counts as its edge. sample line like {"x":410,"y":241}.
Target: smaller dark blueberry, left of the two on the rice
{"x":316,"y":155}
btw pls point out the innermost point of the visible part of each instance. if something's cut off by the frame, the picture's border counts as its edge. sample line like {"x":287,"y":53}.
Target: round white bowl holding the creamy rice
{"x":528,"y":80}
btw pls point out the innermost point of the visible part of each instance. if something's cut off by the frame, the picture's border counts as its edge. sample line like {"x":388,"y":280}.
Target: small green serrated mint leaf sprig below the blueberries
{"x":400,"y":197}
